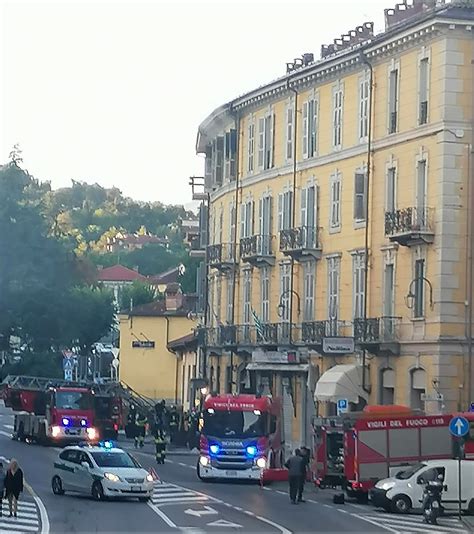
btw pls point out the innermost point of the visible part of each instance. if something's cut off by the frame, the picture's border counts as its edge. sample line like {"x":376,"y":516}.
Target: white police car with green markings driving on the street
{"x":101,"y":471}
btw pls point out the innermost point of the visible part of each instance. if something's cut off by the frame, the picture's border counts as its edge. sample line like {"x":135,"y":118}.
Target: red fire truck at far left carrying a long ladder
{"x":50,"y":410}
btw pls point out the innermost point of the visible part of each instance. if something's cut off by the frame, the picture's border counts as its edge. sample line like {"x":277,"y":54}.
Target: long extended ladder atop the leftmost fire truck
{"x":118,"y":389}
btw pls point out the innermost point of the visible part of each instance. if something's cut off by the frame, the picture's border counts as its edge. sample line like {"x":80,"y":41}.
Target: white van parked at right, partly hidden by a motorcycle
{"x":404,"y":491}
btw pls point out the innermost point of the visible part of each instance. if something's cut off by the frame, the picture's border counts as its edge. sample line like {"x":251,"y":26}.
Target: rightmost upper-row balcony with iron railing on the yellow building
{"x":410,"y":226}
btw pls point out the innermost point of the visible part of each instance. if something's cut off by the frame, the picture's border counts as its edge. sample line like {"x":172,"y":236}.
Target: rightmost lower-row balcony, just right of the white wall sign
{"x":378,"y":335}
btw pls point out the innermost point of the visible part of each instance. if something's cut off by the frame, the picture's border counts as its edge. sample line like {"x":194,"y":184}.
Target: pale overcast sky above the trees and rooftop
{"x":113,"y":92}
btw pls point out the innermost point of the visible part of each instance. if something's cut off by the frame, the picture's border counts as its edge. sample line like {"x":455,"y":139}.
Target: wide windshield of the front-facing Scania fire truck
{"x":234,"y":424}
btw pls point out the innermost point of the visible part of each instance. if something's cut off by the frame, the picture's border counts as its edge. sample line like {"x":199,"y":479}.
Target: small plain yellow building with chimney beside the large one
{"x":147,"y":365}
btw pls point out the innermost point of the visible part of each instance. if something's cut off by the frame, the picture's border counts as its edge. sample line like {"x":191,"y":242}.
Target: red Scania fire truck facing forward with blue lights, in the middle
{"x":240,"y":437}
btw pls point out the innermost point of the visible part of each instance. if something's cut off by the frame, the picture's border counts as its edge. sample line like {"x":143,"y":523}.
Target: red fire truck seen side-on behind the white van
{"x":356,"y":450}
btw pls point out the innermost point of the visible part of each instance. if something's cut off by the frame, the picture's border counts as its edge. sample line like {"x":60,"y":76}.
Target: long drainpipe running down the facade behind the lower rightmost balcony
{"x":365,"y":61}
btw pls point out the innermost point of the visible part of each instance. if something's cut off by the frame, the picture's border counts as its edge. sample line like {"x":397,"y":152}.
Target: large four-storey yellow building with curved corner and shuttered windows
{"x":364,"y":153}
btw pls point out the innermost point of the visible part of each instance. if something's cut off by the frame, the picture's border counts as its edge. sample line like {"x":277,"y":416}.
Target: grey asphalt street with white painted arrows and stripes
{"x":182,"y":502}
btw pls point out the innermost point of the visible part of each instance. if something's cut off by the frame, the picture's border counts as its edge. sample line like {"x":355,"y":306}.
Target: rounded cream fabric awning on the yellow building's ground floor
{"x":341,"y":382}
